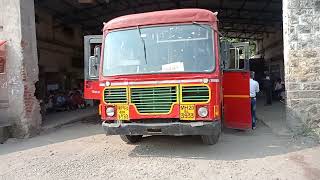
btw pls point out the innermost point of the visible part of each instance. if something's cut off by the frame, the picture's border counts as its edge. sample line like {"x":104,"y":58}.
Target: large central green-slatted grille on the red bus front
{"x":154,"y":99}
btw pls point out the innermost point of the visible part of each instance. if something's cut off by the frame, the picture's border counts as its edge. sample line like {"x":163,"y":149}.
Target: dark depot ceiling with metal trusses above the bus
{"x":242,"y":20}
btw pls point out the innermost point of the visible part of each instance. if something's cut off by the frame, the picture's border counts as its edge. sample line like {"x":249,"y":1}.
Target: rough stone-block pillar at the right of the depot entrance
{"x":301,"y":27}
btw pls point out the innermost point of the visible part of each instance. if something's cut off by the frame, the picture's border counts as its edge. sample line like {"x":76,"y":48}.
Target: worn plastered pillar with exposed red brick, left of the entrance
{"x":18,"y":28}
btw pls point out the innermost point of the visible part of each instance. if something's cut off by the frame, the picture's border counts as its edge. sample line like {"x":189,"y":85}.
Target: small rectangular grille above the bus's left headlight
{"x":115,"y":95}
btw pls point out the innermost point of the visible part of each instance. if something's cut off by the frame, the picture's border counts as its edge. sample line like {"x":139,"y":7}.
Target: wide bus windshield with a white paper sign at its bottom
{"x":161,"y":49}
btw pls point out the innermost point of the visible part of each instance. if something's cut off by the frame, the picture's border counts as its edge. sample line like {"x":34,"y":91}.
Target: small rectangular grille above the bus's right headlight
{"x":195,"y":94}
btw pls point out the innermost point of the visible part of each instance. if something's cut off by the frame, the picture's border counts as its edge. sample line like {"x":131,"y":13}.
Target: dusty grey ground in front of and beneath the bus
{"x":82,"y":151}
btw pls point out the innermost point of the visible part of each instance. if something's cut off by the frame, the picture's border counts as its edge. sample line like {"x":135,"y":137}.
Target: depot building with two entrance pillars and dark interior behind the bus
{"x":42,"y":49}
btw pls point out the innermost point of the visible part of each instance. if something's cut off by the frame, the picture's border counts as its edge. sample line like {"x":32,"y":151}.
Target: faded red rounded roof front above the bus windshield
{"x":161,"y":17}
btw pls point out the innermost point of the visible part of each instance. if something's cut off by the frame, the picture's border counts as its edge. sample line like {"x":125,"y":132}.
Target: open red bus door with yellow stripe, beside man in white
{"x":235,"y":84}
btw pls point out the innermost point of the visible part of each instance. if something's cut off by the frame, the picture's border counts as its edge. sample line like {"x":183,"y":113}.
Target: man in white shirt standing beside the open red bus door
{"x":254,"y":89}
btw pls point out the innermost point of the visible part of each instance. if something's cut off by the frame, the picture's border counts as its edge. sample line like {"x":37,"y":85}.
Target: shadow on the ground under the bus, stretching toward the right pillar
{"x":233,"y":145}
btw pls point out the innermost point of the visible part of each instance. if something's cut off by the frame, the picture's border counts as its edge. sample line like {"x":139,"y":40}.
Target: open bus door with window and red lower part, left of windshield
{"x":92,"y":53}
